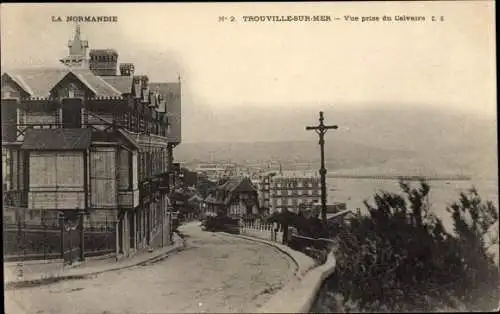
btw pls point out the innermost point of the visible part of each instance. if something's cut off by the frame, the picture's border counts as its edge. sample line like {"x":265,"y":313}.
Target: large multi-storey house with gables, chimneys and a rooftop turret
{"x":94,"y":136}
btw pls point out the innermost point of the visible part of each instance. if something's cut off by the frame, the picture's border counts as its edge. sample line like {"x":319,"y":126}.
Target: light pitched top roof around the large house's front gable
{"x":39,"y":82}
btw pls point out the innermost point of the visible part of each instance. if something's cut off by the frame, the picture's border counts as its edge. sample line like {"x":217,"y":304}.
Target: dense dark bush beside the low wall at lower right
{"x":401,"y":258}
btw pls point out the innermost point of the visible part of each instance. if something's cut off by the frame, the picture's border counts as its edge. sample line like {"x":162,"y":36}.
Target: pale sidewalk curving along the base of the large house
{"x":45,"y":273}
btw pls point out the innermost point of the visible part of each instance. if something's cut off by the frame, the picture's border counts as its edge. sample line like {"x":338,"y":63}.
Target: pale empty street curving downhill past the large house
{"x":215,"y":273}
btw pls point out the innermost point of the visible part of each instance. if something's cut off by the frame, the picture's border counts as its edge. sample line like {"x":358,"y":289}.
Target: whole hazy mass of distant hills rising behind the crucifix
{"x":384,"y":141}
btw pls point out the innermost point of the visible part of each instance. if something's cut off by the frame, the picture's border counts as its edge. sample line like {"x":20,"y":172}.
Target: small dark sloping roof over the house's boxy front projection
{"x":57,"y":139}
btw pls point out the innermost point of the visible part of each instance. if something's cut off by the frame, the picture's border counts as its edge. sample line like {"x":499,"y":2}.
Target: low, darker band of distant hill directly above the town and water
{"x":344,"y":158}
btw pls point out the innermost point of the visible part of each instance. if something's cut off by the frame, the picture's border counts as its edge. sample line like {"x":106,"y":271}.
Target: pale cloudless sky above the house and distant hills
{"x":228,"y":68}
